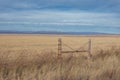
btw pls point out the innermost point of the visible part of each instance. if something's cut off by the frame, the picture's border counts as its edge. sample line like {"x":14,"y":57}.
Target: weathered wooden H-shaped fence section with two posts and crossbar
{"x":61,"y":51}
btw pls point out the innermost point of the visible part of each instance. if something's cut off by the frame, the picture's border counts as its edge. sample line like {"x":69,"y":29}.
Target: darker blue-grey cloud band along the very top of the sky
{"x":85,"y":5}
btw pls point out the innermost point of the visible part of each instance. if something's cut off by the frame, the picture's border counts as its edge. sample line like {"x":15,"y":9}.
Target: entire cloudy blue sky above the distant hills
{"x":60,"y":15}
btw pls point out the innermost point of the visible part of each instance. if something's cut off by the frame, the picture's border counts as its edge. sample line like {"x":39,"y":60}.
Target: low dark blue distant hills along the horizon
{"x":50,"y":32}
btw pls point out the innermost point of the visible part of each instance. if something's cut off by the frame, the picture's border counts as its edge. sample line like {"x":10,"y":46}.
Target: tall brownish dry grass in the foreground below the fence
{"x":104,"y":65}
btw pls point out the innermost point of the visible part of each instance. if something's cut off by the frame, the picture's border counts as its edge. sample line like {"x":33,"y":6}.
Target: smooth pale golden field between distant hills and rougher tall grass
{"x":42,"y":42}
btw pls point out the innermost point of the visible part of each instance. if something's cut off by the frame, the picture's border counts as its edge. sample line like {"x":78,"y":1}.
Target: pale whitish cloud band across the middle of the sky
{"x":47,"y":17}
